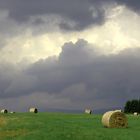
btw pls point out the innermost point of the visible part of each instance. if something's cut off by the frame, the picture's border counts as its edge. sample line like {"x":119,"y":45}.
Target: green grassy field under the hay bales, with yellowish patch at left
{"x":60,"y":126}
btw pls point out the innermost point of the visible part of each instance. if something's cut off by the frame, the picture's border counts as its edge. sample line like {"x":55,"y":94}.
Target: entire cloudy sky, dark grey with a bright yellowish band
{"x":69,"y":54}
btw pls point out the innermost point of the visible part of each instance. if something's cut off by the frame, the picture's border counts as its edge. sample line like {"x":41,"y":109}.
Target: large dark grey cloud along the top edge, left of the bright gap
{"x":78,"y":11}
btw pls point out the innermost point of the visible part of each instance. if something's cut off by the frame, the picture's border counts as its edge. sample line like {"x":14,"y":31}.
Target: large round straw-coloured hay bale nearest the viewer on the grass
{"x":114,"y":119}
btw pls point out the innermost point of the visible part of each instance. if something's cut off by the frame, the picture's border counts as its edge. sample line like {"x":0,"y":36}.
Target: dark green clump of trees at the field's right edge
{"x":132,"y":106}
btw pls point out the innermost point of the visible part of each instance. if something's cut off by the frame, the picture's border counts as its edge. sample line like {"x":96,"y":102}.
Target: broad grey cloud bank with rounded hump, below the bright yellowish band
{"x":80,"y":75}
